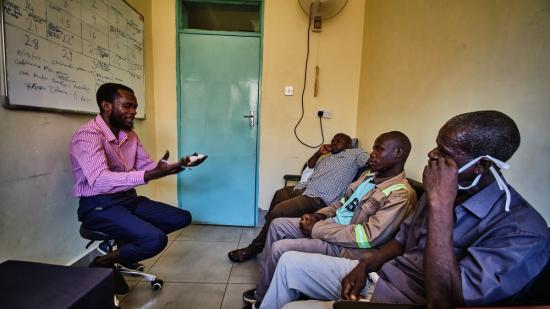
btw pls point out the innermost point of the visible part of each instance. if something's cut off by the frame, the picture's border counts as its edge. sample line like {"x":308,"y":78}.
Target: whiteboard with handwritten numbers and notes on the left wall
{"x":58,"y":52}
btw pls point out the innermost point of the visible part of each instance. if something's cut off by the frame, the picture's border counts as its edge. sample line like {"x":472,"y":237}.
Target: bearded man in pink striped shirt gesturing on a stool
{"x":108,"y":162}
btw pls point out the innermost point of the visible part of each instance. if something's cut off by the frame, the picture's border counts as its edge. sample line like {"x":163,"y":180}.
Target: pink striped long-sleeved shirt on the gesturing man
{"x":105,"y":163}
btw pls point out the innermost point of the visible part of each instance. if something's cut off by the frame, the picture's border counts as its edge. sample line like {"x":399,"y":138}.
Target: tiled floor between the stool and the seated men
{"x":196,"y":271}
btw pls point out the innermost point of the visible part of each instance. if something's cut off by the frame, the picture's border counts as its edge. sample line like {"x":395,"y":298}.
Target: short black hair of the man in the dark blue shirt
{"x":486,"y":133}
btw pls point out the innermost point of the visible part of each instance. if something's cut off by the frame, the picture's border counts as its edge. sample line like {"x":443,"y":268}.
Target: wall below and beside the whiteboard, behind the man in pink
{"x":37,"y":211}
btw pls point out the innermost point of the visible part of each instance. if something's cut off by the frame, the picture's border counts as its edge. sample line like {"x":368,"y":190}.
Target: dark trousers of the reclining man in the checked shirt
{"x":286,"y":202}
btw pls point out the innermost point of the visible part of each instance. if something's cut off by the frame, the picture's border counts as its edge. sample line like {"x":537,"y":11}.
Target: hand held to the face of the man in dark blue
{"x":440,"y":180}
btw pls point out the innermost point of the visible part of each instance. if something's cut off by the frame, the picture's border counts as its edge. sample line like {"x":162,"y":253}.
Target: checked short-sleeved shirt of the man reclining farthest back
{"x":333,"y":174}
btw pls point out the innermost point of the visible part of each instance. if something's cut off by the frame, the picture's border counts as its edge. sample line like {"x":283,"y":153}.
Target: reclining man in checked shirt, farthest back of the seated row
{"x":329,"y":180}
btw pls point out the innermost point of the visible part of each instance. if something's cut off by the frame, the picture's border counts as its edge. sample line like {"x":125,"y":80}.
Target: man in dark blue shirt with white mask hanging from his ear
{"x":474,"y":247}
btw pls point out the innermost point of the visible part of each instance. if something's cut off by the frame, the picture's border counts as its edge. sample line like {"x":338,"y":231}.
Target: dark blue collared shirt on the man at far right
{"x":498,"y":252}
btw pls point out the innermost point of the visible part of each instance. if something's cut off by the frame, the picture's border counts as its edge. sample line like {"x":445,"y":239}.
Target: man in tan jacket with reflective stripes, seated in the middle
{"x":367,"y":217}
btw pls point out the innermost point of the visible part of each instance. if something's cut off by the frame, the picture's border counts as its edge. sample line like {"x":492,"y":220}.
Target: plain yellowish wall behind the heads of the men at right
{"x":425,"y":61}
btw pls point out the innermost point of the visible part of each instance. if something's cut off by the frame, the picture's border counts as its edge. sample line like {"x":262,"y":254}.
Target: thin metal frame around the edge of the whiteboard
{"x":4,"y":83}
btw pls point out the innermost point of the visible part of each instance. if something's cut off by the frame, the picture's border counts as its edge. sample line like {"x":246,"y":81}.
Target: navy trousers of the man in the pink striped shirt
{"x":141,"y":223}
